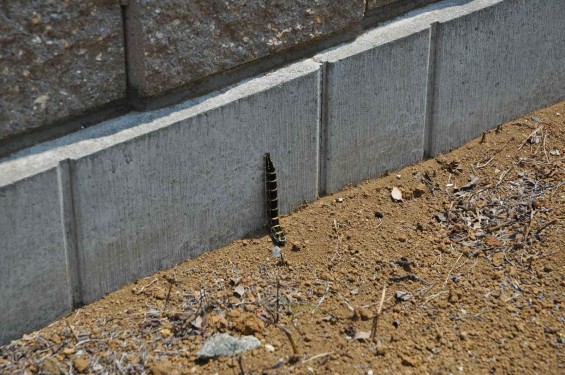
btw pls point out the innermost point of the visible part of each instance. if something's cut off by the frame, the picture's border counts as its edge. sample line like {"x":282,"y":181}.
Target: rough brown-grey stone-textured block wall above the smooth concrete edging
{"x":67,"y":65}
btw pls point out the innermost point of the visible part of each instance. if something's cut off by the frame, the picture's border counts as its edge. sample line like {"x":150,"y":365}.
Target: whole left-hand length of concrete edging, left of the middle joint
{"x":150,"y":189}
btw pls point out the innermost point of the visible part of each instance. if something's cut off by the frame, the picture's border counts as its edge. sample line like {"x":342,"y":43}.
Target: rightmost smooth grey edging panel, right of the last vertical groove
{"x":503,"y":60}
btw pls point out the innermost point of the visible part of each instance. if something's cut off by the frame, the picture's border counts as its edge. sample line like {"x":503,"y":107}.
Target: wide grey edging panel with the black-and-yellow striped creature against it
{"x":193,"y":180}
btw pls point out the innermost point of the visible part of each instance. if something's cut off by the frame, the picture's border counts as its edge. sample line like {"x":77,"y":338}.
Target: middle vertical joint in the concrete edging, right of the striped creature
{"x":323,"y":130}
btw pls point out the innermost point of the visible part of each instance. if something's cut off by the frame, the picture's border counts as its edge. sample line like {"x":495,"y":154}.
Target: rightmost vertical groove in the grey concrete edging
{"x":430,"y":91}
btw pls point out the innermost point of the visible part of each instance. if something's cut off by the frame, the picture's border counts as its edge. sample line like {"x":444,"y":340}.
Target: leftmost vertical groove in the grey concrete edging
{"x":65,"y":172}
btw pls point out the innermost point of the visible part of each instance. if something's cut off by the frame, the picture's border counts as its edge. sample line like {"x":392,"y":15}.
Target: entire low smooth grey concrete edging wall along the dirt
{"x":91,"y":211}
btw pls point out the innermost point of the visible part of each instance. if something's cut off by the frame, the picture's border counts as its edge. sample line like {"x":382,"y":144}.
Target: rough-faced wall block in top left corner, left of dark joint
{"x":57,"y":59}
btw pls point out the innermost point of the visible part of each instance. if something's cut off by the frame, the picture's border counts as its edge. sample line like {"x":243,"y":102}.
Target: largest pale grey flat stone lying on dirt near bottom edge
{"x":224,"y":345}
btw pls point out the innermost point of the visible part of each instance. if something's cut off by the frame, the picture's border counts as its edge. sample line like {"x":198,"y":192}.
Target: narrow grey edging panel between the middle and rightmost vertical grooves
{"x":375,"y":104}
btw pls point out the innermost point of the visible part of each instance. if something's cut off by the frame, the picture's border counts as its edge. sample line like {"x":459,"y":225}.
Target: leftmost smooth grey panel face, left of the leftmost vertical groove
{"x":34,"y":287}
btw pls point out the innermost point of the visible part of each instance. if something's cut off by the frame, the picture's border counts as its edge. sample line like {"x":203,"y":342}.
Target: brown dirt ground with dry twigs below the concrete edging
{"x":464,"y":274}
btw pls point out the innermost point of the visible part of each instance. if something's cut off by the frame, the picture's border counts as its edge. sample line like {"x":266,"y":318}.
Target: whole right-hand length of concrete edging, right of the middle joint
{"x":434,"y":79}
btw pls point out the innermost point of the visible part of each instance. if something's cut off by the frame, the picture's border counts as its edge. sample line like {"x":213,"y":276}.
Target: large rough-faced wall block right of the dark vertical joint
{"x":175,"y":42}
